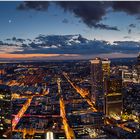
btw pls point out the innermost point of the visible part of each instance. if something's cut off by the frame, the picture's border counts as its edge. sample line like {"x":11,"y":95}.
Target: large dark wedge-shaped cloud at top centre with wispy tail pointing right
{"x":91,"y":13}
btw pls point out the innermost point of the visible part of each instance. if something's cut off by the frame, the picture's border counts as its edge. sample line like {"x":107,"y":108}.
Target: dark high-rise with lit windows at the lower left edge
{"x":5,"y":112}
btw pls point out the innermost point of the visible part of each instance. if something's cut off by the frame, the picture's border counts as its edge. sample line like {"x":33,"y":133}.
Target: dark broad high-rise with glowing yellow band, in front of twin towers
{"x":113,"y":104}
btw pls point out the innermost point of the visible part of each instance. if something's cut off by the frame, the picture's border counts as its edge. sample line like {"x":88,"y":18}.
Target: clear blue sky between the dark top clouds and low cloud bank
{"x":30,"y":23}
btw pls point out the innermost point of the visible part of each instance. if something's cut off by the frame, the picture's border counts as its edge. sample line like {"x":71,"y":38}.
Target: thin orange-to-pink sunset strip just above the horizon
{"x":40,"y":57}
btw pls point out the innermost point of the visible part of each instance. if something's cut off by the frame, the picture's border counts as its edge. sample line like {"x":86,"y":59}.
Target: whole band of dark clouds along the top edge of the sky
{"x":90,"y":12}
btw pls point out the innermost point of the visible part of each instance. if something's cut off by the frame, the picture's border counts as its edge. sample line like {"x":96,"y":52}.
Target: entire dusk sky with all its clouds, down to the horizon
{"x":73,"y":28}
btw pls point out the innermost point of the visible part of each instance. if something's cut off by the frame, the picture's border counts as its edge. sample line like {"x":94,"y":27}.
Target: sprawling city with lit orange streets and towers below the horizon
{"x":70,"y":99}
